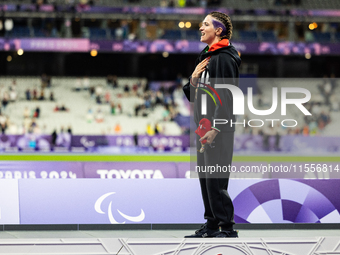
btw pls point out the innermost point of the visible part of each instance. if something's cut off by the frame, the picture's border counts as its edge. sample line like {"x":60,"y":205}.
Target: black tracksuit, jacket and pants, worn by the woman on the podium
{"x":222,"y":69}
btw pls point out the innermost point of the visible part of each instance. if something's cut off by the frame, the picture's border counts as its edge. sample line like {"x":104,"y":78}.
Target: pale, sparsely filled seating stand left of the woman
{"x":78,"y":101}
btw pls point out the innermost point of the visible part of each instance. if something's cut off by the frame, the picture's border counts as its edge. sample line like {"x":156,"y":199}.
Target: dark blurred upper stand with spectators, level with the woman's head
{"x":282,"y":29}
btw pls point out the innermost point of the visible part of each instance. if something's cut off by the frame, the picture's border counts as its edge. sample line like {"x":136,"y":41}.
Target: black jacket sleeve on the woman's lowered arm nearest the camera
{"x":224,"y":71}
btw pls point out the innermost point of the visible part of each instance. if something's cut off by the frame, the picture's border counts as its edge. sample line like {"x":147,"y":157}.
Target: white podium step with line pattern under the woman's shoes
{"x":308,"y":245}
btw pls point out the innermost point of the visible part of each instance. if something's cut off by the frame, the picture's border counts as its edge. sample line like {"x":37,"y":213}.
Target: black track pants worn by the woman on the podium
{"x":219,"y":209}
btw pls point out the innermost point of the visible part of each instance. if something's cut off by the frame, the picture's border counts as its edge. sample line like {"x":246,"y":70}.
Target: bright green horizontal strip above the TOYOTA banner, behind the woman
{"x":159,"y":158}
